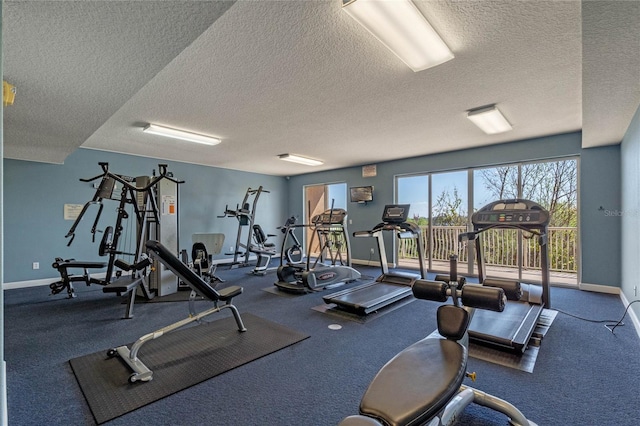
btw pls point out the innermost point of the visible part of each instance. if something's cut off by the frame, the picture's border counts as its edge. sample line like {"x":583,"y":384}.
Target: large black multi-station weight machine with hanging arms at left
{"x":143,"y":194}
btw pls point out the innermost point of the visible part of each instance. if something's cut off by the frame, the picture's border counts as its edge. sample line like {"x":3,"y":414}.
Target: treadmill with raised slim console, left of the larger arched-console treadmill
{"x":390,"y":287}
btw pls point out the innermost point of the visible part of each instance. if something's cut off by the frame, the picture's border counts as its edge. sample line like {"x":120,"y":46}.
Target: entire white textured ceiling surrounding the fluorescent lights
{"x":275,"y":77}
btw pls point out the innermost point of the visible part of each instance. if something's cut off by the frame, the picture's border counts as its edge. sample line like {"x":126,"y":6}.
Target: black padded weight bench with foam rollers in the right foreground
{"x":422,"y":385}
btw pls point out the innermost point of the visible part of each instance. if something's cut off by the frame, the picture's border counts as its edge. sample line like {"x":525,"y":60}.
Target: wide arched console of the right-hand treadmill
{"x":511,"y":212}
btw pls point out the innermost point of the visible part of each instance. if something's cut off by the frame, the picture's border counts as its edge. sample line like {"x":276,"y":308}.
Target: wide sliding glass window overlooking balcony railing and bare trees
{"x":454,"y":196}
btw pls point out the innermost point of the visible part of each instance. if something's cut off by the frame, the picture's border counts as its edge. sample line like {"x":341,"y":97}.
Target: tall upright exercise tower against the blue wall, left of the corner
{"x":245,"y":213}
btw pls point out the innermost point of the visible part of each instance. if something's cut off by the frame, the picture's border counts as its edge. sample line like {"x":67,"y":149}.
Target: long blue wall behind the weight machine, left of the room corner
{"x":35,"y":195}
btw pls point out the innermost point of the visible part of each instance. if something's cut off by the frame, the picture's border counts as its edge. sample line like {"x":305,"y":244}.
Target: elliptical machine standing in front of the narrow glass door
{"x":330,"y":267}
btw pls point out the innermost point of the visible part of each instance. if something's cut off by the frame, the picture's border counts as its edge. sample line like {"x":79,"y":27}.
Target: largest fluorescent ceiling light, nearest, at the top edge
{"x":400,"y":26}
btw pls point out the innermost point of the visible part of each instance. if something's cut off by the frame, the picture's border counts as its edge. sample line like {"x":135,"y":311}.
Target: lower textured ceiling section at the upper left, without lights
{"x":75,"y":63}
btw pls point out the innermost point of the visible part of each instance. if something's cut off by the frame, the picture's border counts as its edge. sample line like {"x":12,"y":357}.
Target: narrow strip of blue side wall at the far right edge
{"x":630,"y":211}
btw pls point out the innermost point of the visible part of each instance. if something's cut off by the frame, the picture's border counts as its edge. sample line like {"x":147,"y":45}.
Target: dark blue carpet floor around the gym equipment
{"x":584,"y":374}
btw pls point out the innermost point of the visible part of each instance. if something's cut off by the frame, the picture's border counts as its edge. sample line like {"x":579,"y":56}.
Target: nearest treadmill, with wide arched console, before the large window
{"x":511,"y":329}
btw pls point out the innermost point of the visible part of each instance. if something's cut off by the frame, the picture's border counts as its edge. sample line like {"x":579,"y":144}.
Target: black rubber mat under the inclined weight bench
{"x":178,"y":360}
